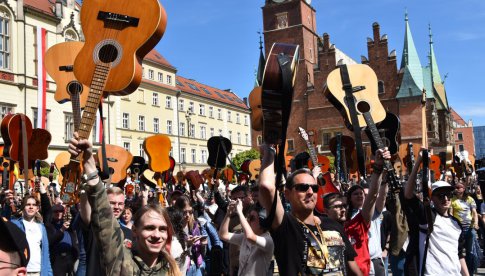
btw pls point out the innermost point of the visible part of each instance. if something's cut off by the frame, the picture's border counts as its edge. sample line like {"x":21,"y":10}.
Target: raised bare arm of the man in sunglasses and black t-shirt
{"x":267,"y":186}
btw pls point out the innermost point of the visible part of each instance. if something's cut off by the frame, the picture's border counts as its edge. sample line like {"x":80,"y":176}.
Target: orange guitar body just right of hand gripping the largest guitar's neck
{"x":119,"y":160}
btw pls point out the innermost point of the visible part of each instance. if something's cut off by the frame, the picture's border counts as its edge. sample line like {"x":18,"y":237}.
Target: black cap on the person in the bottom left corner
{"x":15,"y":238}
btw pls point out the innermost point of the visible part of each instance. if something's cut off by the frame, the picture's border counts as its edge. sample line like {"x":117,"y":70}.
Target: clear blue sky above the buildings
{"x":216,"y":42}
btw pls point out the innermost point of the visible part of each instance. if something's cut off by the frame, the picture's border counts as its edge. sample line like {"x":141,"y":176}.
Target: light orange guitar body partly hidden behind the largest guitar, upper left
{"x":59,"y":61}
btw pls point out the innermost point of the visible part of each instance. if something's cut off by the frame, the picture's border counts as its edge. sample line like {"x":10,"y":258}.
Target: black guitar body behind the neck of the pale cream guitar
{"x":388,"y":129}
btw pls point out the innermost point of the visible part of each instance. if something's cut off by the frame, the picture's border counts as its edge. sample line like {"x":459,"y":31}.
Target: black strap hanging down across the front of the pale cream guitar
{"x":350,"y":101}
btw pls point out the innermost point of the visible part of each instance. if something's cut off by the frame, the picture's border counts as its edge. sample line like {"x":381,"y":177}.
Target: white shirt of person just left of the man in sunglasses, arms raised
{"x":254,"y":259}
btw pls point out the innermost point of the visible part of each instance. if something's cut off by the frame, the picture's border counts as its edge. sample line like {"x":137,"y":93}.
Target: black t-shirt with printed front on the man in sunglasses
{"x":296,"y":250}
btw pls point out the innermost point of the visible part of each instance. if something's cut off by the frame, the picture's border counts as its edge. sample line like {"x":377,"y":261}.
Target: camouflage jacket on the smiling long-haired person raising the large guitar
{"x":116,"y":259}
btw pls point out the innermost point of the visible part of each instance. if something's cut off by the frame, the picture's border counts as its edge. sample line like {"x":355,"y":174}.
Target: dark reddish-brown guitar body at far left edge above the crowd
{"x":13,"y":147}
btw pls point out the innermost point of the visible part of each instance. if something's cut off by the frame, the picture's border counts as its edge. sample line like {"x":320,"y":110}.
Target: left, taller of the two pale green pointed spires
{"x":410,"y":56}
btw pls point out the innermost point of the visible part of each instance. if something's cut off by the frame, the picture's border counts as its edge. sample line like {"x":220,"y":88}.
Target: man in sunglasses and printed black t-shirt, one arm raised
{"x":304,"y":243}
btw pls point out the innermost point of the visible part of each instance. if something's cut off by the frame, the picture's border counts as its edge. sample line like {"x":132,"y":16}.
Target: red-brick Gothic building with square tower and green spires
{"x":400,"y":88}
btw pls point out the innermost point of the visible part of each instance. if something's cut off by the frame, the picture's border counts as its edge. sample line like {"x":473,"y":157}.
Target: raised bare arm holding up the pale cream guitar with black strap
{"x":376,"y":179}
